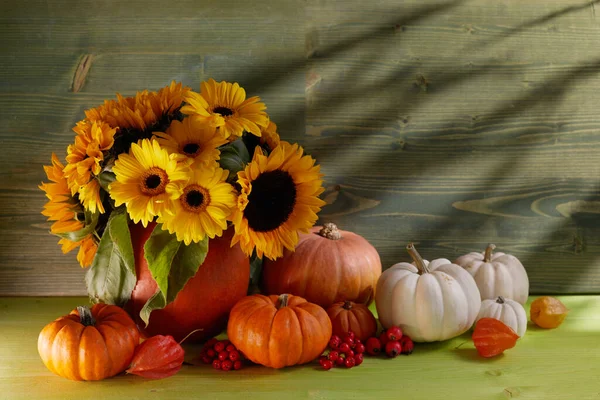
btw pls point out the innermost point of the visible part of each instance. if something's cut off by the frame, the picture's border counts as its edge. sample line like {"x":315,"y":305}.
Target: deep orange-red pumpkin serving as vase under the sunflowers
{"x":205,"y":300}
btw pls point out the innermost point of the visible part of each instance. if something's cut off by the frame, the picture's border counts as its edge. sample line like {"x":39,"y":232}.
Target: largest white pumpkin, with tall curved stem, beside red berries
{"x":430,"y":301}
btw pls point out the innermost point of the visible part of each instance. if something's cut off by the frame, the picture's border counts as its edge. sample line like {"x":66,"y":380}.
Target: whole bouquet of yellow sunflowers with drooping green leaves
{"x":190,"y":165}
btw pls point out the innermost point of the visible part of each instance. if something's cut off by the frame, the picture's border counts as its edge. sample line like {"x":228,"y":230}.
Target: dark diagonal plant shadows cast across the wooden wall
{"x":326,"y":99}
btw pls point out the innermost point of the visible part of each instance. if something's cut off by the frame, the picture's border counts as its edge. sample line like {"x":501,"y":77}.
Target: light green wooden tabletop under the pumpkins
{"x":546,"y":364}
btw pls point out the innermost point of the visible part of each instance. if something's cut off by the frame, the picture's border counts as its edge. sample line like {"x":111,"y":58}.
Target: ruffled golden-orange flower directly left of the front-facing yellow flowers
{"x":84,"y":159}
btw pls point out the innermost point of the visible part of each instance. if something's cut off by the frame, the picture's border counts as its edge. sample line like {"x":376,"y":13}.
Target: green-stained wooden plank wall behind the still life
{"x":448,"y":123}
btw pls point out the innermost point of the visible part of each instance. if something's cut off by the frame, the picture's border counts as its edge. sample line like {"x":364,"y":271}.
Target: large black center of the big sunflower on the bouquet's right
{"x":271,"y":200}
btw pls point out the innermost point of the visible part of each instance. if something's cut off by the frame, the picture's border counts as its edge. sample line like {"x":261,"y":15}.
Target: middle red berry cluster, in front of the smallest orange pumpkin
{"x":345,"y":351}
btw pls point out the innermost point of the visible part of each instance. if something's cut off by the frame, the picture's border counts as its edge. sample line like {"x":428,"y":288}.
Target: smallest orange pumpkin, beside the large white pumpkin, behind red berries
{"x":349,"y":316}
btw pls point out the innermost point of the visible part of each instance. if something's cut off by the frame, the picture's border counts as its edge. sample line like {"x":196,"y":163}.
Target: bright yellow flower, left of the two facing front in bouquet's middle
{"x":147,"y":181}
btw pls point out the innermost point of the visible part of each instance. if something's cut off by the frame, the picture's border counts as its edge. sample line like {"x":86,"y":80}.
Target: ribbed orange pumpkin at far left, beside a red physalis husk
{"x":89,"y":344}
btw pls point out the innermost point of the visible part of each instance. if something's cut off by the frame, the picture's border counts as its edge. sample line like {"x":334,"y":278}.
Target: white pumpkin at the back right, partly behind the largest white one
{"x":497,"y":274}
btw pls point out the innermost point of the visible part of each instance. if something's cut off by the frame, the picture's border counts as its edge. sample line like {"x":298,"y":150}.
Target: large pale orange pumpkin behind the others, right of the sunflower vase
{"x":328,"y":266}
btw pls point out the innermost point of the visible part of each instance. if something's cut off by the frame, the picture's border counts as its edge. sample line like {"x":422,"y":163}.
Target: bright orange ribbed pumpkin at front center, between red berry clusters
{"x":279,"y":331}
